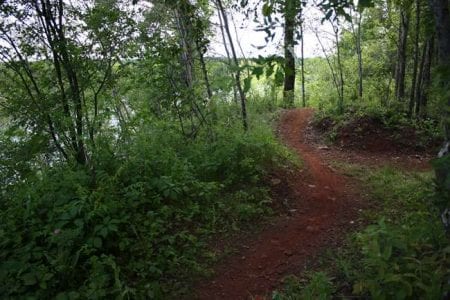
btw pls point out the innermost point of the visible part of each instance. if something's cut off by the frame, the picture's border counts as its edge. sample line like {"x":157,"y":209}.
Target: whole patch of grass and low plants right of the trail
{"x":403,"y":254}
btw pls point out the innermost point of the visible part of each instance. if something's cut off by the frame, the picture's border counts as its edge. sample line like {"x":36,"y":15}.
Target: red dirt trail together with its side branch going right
{"x":321,"y":205}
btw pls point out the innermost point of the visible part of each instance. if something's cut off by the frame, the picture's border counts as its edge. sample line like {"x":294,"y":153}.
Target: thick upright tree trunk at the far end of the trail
{"x":289,"y":54}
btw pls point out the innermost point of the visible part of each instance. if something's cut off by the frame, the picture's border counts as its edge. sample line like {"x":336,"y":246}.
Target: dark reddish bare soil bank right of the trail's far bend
{"x":369,"y":142}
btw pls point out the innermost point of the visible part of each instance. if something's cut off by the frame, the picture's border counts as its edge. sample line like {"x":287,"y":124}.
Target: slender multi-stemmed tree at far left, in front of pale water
{"x":63,"y":77}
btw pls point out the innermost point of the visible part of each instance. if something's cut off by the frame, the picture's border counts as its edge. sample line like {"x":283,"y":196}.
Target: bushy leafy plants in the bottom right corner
{"x":407,"y":261}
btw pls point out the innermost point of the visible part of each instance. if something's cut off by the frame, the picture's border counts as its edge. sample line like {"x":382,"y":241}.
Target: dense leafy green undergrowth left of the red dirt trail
{"x":136,"y":225}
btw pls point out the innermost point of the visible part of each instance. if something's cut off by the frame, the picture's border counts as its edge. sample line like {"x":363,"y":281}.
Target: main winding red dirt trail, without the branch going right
{"x":322,"y":208}
